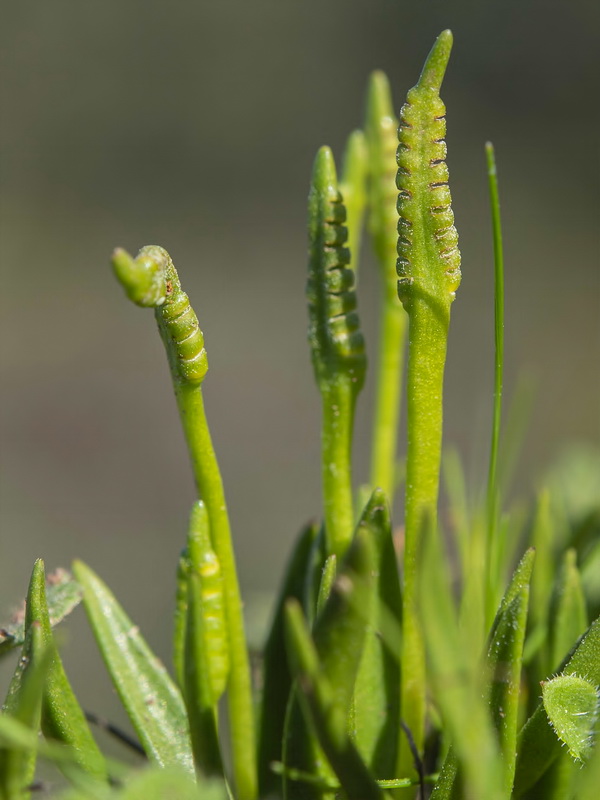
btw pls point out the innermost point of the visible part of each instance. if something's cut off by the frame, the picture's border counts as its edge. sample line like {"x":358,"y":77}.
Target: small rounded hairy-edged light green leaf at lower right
{"x":571,"y":704}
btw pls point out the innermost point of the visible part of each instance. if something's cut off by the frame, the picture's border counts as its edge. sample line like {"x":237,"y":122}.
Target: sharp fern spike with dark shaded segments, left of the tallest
{"x":337,"y":345}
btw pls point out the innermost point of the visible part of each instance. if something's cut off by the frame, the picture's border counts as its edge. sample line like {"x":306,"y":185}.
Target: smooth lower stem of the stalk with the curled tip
{"x":210,"y":489}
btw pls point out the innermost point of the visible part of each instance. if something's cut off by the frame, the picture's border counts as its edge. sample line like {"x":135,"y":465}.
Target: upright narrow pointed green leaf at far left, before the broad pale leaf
{"x":62,"y":716}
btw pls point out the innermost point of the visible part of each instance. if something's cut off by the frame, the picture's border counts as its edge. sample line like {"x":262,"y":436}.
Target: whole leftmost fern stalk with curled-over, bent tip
{"x":151,"y":280}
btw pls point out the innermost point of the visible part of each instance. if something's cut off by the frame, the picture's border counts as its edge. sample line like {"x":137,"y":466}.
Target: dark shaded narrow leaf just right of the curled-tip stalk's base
{"x":277,"y":679}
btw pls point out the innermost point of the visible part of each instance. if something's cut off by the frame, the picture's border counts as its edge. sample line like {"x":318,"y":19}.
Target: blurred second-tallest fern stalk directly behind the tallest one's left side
{"x":381,"y":130}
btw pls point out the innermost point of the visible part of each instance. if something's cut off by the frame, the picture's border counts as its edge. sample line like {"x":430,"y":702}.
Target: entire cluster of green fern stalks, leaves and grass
{"x":376,"y":682}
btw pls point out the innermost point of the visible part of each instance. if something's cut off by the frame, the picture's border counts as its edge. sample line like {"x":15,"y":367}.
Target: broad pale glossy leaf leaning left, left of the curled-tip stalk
{"x":151,"y":699}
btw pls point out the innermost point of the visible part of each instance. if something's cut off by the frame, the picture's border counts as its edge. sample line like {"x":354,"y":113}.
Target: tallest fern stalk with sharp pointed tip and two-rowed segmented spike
{"x":429,"y":274}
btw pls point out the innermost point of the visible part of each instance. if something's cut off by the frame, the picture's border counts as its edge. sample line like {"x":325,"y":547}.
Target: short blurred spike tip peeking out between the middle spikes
{"x":353,"y":187}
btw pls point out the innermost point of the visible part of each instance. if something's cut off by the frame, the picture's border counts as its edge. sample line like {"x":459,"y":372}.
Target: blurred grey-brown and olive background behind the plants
{"x":194,"y":125}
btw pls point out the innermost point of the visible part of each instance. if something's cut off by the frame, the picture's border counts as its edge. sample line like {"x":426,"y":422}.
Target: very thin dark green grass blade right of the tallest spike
{"x":493,"y":499}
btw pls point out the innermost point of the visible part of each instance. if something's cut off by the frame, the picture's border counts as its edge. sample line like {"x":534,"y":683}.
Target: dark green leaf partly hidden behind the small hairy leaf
{"x":538,"y":745}
